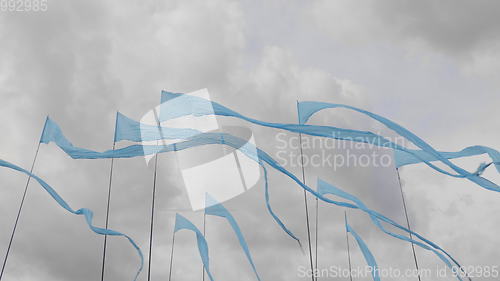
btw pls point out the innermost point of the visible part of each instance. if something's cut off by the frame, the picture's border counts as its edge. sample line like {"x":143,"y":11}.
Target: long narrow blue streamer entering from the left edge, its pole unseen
{"x":87,"y":213}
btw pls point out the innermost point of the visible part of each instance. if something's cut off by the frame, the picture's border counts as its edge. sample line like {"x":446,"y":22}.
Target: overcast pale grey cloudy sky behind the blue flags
{"x":431,"y":66}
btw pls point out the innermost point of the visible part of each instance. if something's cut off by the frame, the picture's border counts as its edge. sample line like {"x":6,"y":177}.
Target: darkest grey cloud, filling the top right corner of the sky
{"x":451,"y":26}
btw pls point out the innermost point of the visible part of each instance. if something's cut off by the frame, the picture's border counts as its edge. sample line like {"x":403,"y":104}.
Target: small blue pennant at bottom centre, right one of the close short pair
{"x":215,"y":208}
